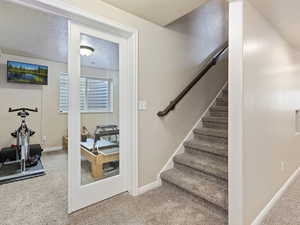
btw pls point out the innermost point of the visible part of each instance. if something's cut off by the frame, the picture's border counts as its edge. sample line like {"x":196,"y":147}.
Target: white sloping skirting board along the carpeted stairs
{"x":189,"y":136}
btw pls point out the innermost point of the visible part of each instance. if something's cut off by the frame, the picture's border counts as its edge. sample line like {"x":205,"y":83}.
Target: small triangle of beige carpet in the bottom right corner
{"x":287,"y":209}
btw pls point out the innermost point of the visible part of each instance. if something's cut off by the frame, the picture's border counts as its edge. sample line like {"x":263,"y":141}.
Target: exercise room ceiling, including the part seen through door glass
{"x":31,"y":33}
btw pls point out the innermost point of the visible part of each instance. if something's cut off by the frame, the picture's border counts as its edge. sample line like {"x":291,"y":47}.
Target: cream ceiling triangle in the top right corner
{"x":284,"y":15}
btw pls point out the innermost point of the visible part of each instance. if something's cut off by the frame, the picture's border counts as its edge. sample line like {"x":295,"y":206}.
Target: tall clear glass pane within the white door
{"x":99,"y":105}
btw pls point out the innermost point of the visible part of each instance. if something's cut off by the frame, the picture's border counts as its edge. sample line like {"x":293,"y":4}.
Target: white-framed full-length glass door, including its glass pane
{"x":97,"y":116}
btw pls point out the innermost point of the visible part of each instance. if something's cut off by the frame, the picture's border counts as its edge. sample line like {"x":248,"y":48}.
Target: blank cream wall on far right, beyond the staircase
{"x":270,"y":96}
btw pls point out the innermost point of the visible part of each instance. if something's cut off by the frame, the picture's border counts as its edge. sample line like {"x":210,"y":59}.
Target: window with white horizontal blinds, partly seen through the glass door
{"x":95,"y":94}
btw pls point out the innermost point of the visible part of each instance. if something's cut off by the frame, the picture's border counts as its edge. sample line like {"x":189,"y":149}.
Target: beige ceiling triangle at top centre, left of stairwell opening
{"x":161,"y":12}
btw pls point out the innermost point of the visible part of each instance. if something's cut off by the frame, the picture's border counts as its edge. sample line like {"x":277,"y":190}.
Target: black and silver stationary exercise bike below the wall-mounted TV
{"x":26,"y":162}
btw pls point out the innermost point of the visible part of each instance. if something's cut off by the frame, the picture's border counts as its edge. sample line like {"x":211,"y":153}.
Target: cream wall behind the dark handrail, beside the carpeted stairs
{"x":168,"y":60}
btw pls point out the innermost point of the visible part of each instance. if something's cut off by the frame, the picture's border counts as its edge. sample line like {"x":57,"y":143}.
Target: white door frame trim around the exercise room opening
{"x":76,"y":14}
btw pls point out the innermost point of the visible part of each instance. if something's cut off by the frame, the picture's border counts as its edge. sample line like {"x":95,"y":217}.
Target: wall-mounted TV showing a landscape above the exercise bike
{"x":19,"y":72}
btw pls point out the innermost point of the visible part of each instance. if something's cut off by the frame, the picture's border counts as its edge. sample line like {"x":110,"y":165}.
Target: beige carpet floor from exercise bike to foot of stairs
{"x":43,"y":201}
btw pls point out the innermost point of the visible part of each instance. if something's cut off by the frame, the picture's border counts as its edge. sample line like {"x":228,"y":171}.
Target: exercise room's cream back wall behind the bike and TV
{"x":48,"y":122}
